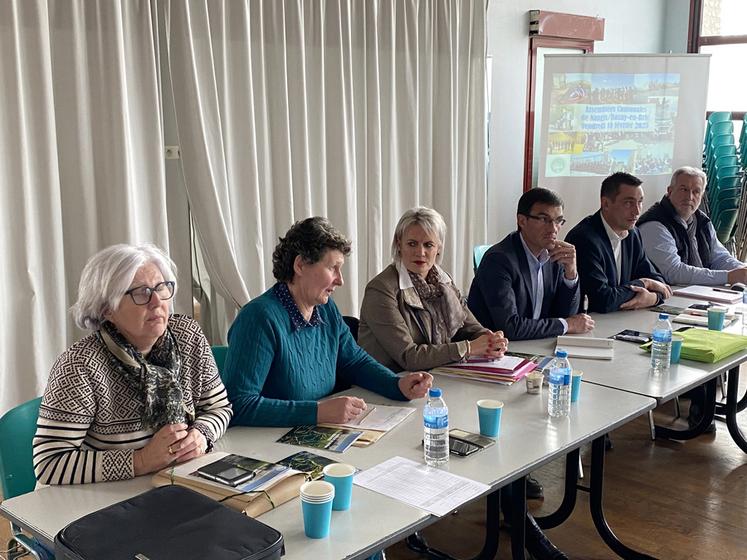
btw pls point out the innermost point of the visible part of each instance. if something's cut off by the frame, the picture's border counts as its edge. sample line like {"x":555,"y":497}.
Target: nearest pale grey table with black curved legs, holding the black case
{"x":528,"y":440}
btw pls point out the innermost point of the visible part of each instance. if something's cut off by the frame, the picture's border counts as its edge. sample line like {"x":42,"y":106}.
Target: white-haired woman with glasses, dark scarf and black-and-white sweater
{"x":142,"y":391}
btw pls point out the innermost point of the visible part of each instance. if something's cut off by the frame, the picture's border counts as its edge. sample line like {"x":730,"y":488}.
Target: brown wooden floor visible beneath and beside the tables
{"x":673,"y":500}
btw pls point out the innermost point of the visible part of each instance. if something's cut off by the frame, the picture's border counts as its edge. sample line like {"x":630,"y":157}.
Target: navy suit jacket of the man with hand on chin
{"x":501,"y":293}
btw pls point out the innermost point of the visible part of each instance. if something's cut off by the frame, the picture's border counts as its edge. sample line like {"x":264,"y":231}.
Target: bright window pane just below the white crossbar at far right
{"x":727,"y":82}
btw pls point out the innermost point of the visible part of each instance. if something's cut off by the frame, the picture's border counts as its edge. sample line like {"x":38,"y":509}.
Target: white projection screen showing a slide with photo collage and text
{"x":643,"y":114}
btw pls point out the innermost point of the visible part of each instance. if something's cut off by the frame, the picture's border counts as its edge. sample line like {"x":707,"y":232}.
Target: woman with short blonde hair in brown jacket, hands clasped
{"x":413,"y":316}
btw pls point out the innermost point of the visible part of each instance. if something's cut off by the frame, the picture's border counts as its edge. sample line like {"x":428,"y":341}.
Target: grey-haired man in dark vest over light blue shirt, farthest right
{"x":680,"y":239}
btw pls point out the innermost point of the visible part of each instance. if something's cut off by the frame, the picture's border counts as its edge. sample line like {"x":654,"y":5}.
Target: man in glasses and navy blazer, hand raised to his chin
{"x":527,"y":285}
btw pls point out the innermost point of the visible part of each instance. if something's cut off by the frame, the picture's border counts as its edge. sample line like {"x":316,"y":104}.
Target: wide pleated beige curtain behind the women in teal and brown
{"x":352,"y":110}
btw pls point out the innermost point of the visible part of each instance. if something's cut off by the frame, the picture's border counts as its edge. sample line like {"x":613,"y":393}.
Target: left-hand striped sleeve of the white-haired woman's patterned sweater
{"x":66,"y":413}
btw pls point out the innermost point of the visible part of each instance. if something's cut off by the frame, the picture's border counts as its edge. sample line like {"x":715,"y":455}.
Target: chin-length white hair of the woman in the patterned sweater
{"x":108,"y":275}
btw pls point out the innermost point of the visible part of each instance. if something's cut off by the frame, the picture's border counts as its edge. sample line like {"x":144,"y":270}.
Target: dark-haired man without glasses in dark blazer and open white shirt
{"x":615,"y":272}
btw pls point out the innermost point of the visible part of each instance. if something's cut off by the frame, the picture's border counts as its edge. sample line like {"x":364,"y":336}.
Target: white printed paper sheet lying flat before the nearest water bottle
{"x":433,"y":490}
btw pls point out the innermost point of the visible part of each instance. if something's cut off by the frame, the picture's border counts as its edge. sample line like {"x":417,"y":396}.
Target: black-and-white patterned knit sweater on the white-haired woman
{"x":89,"y":421}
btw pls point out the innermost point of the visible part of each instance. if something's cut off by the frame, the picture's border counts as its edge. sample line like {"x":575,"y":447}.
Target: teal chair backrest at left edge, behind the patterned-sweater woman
{"x":17,"y":429}
